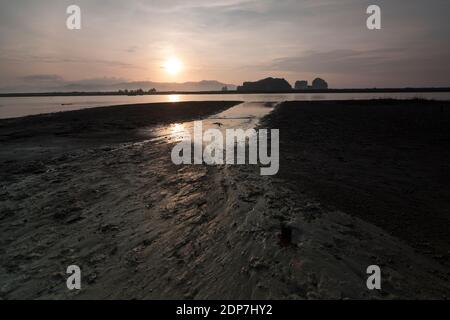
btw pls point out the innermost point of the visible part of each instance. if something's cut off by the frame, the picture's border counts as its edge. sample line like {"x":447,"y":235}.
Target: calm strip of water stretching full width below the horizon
{"x":24,"y":106}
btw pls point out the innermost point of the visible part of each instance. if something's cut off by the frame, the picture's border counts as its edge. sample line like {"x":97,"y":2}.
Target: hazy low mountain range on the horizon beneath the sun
{"x":99,"y":86}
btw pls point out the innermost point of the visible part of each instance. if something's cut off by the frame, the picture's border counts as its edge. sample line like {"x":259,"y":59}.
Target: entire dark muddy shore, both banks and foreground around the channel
{"x":360,"y":183}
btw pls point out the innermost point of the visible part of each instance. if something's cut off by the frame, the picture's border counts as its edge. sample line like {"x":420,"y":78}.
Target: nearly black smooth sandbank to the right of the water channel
{"x":385,"y":161}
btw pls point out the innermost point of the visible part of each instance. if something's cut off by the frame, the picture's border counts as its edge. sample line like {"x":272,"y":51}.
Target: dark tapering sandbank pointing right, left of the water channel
{"x":51,"y":134}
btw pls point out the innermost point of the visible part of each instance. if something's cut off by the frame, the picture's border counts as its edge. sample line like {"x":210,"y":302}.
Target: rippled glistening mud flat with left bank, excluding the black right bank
{"x":108,"y":199}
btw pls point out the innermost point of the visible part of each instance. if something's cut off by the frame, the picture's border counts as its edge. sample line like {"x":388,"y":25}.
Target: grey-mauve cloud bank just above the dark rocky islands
{"x":366,"y":68}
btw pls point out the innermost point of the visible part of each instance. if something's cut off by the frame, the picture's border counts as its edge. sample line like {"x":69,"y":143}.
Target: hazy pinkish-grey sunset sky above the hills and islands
{"x":226,"y":40}
